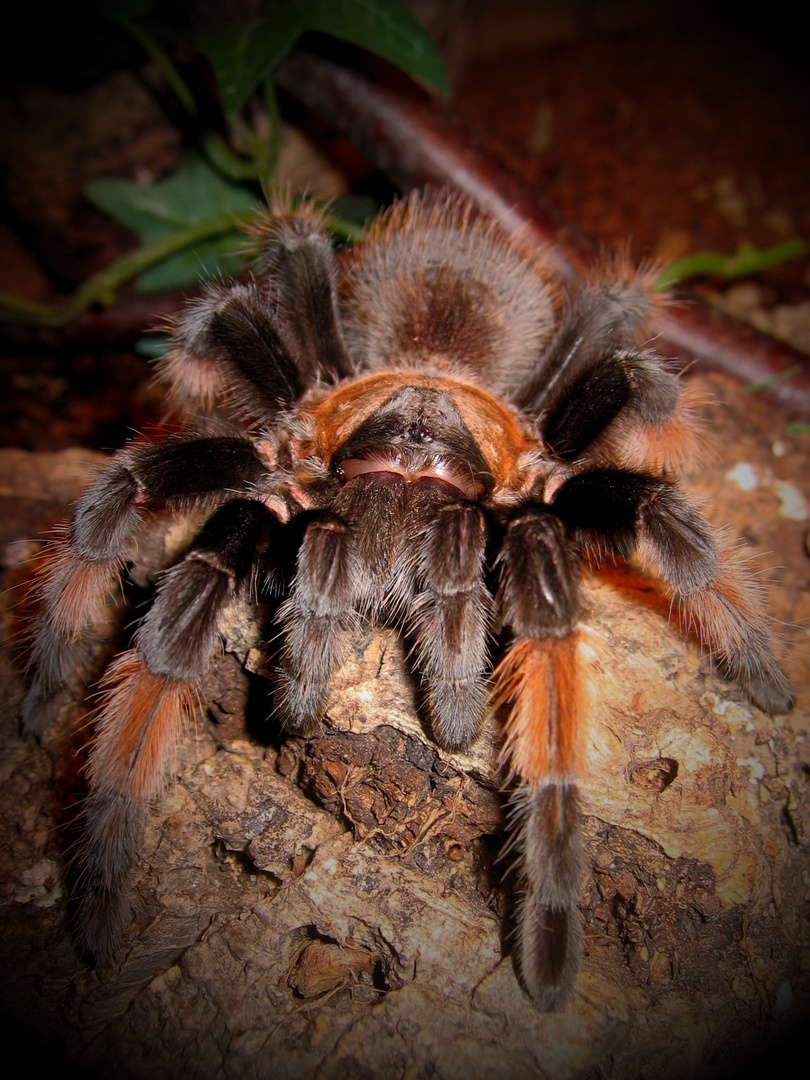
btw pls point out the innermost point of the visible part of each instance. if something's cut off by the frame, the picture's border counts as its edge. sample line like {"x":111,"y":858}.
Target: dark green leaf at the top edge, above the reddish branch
{"x":245,"y":55}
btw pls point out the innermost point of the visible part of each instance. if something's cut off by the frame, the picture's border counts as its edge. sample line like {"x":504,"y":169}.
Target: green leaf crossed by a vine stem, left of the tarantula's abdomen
{"x":193,"y":196}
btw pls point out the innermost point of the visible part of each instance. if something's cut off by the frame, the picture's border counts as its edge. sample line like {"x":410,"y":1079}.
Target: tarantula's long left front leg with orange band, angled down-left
{"x":147,"y":695}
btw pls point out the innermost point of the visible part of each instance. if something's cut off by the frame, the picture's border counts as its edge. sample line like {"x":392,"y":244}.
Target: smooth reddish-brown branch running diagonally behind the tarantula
{"x":415,"y":142}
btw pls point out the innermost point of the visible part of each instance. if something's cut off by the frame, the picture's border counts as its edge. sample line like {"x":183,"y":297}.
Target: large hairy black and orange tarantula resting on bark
{"x":445,"y":437}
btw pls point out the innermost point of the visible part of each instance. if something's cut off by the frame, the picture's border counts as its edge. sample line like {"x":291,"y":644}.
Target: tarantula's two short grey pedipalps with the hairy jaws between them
{"x":409,"y":553}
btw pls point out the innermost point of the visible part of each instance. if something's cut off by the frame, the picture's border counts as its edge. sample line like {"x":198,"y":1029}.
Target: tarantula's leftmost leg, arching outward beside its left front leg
{"x":87,"y":561}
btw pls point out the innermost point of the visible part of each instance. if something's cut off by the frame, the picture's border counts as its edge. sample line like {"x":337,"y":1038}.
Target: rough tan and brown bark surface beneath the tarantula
{"x":333,"y":907}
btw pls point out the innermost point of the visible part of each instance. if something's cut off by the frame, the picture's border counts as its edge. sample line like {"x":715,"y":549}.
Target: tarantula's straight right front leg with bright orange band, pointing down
{"x":544,"y":684}
